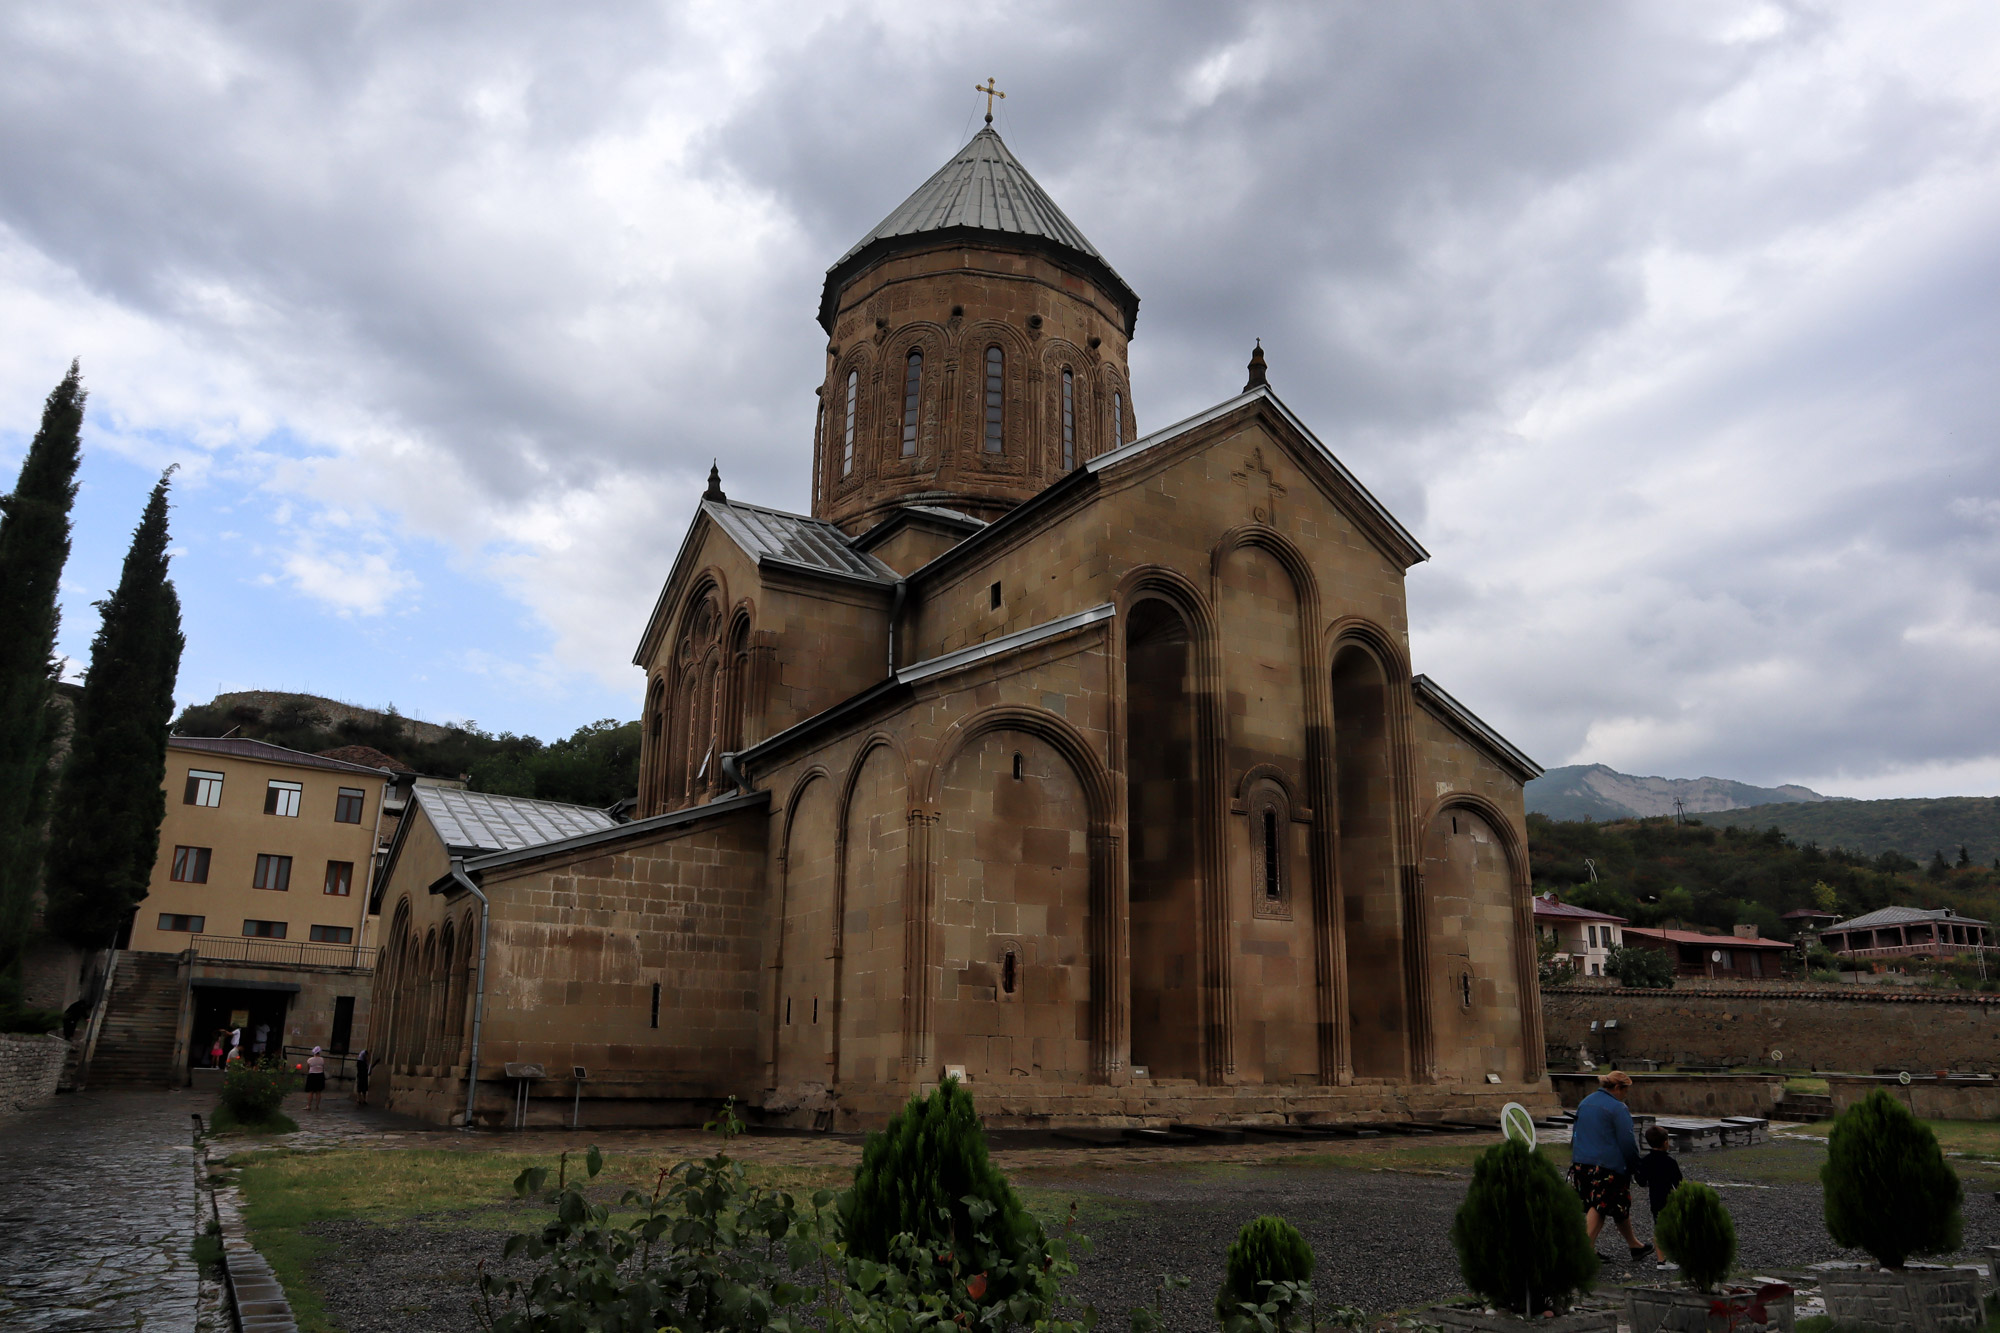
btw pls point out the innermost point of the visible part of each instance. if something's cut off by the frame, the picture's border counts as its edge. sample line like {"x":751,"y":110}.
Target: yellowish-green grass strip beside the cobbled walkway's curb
{"x":285,"y":1192}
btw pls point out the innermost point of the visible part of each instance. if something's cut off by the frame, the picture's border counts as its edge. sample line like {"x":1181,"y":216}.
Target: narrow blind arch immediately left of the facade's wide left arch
{"x":873,"y":868}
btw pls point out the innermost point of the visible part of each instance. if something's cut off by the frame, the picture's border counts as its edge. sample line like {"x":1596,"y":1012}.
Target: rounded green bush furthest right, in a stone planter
{"x":1887,"y":1186}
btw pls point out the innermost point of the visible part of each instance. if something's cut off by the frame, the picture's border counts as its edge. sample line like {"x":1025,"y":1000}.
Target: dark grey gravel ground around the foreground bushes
{"x":1381,"y":1240}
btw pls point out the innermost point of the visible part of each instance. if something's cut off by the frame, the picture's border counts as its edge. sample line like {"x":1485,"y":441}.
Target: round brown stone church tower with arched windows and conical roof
{"x":977,"y":351}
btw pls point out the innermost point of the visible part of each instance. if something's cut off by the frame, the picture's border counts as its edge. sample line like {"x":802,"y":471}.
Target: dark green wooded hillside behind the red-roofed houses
{"x":1659,"y":872}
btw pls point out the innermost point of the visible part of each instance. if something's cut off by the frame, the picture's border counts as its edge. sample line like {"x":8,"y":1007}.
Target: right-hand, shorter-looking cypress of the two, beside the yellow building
{"x":111,"y":802}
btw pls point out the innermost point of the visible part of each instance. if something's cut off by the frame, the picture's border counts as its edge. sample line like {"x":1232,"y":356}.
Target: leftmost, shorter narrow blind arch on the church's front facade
{"x":803,"y":1020}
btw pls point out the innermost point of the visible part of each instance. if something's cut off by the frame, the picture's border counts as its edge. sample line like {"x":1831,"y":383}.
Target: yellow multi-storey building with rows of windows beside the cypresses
{"x":257,"y":914}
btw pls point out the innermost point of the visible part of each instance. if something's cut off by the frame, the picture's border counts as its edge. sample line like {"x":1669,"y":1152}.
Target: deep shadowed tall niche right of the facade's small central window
{"x":1367,"y":820}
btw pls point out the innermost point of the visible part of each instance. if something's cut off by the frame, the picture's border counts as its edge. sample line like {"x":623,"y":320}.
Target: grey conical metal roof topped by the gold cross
{"x":983,"y":189}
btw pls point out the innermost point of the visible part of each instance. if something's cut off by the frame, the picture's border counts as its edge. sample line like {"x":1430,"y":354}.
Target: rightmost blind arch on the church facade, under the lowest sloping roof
{"x":1485,"y":988}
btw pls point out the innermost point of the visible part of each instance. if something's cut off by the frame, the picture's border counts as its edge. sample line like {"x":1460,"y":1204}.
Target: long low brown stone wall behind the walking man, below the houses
{"x":1815,"y":1030}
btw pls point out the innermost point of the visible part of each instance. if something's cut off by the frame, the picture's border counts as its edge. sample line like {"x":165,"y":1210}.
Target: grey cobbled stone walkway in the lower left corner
{"x":99,"y":1214}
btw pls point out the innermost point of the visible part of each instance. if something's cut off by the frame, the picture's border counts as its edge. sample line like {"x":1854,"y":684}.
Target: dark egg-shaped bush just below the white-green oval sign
{"x":1521,"y":1234}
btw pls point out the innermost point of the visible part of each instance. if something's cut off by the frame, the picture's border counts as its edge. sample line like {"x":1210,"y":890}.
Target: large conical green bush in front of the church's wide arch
{"x":929,"y":1178}
